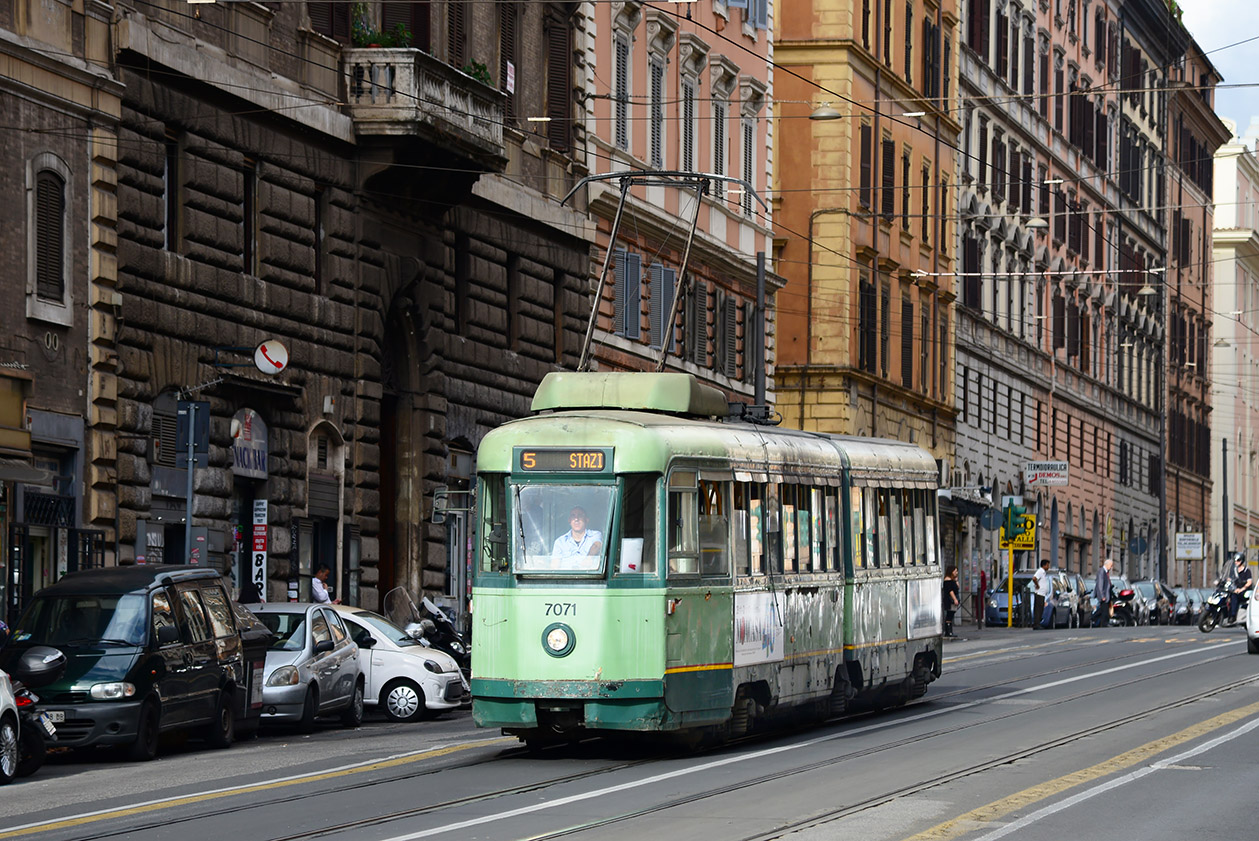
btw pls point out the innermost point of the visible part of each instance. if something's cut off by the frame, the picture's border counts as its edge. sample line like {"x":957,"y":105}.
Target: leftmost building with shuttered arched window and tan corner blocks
{"x":61,"y":109}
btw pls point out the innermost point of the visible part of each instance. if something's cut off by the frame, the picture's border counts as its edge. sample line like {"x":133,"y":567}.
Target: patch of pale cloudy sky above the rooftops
{"x":1217,"y":25}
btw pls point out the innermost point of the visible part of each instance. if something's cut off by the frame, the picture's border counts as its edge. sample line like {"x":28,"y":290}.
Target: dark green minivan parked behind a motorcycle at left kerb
{"x":150,"y":649}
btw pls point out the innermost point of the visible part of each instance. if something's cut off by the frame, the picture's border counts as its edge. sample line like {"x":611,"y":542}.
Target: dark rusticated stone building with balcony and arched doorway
{"x":387,"y":215}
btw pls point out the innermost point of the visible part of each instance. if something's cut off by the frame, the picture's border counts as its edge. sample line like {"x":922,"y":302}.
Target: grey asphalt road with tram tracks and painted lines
{"x":1126,"y":733}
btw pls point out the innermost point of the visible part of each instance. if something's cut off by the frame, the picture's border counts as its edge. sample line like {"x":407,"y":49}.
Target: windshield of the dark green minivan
{"x":85,"y":621}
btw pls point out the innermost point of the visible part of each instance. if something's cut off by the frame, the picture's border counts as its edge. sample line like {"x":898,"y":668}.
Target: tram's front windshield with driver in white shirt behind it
{"x":562,"y":528}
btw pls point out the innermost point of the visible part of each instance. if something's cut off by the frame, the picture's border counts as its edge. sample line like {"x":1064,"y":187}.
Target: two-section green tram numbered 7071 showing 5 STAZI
{"x":644,"y":566}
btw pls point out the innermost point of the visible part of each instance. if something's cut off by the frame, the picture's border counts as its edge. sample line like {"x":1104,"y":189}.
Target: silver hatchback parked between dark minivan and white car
{"x":313,"y":667}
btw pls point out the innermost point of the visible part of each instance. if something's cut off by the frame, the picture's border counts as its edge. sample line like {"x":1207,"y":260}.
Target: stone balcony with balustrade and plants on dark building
{"x":407,"y":93}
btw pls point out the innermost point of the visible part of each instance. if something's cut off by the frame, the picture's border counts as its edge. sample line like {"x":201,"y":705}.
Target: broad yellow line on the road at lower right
{"x":1018,"y":801}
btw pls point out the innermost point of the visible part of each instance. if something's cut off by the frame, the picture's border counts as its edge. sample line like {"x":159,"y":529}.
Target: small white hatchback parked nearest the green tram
{"x":407,"y":679}
